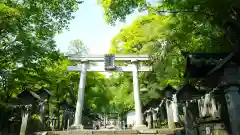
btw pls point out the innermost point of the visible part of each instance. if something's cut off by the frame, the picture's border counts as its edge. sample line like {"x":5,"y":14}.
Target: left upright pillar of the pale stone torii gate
{"x":79,"y":107}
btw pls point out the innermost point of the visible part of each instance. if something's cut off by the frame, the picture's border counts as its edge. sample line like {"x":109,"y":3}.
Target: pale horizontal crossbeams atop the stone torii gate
{"x":109,"y":59}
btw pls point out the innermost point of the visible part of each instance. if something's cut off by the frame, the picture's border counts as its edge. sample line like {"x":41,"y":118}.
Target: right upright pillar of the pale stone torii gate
{"x":138,"y":107}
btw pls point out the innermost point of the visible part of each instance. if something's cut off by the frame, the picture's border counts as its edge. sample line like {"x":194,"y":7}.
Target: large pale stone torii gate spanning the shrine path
{"x":109,"y":66}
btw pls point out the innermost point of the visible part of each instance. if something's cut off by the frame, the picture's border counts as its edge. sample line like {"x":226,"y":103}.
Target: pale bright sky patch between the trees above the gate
{"x":90,"y":27}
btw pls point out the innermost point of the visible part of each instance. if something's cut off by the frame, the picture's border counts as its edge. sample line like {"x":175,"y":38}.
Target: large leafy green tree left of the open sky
{"x":27,"y":45}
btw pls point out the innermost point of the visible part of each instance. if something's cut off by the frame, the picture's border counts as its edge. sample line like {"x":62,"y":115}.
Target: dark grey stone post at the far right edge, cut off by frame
{"x":231,"y":79}
